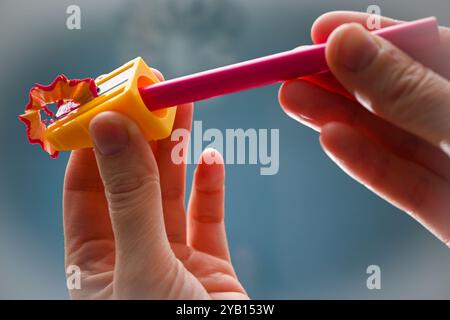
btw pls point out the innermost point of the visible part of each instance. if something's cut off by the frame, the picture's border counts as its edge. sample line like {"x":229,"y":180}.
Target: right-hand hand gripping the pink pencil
{"x":399,"y":144}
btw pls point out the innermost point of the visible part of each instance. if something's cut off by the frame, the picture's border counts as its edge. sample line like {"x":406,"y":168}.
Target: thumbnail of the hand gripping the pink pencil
{"x":357,"y":48}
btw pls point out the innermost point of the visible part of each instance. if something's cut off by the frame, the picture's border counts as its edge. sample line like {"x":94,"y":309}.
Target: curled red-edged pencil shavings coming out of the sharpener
{"x":60,"y":92}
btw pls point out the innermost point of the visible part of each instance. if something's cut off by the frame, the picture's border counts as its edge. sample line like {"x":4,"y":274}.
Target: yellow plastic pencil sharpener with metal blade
{"x":117,"y":91}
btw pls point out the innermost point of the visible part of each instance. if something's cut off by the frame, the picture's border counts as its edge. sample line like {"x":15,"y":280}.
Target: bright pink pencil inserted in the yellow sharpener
{"x":409,"y":37}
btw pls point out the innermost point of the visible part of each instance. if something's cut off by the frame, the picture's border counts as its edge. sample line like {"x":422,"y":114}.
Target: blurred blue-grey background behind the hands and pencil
{"x":308,"y":232}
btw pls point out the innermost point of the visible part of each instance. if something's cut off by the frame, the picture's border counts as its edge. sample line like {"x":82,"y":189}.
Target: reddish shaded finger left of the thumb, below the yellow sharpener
{"x":86,"y":220}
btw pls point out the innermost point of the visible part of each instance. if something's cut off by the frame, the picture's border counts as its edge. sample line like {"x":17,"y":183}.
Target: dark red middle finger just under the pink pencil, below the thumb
{"x":315,"y":107}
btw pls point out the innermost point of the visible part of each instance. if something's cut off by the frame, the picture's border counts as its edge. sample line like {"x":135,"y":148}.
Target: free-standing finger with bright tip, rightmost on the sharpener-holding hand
{"x":206,"y":230}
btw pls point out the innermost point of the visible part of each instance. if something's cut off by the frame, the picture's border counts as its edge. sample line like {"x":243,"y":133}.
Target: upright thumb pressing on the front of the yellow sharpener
{"x":130,"y":177}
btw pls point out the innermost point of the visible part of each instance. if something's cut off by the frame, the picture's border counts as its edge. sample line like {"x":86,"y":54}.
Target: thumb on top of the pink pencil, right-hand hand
{"x":390,"y":84}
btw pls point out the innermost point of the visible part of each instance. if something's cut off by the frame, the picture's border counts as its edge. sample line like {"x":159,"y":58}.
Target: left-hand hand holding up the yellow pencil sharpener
{"x":125,"y":223}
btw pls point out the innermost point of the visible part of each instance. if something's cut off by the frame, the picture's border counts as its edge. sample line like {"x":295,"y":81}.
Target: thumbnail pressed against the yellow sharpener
{"x":109,"y":133}
